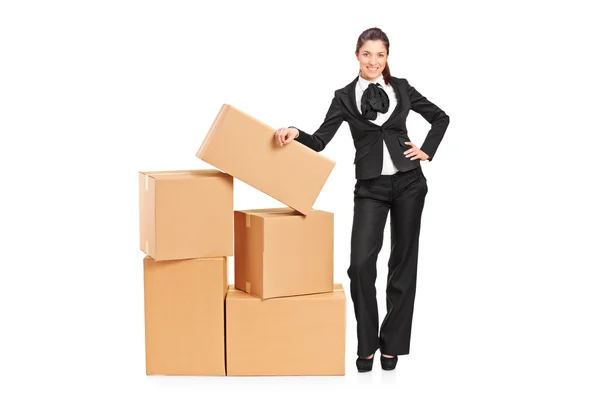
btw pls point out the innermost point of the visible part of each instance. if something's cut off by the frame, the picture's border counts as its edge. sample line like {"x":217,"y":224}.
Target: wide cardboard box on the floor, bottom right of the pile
{"x":298,"y":335}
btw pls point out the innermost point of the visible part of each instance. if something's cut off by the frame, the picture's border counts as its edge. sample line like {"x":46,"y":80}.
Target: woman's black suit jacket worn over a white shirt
{"x":368,"y":137}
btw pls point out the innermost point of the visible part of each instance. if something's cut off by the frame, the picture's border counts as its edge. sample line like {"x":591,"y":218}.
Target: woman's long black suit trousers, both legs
{"x":402,"y":195}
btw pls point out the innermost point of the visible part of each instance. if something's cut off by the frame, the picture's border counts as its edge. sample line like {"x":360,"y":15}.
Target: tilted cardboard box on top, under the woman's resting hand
{"x":245,"y":148}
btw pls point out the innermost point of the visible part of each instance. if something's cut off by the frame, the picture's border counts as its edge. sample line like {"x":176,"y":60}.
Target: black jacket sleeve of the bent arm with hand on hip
{"x":438,"y":119}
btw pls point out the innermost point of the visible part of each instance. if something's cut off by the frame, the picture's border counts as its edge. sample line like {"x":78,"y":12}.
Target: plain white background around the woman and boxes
{"x":93,"y":92}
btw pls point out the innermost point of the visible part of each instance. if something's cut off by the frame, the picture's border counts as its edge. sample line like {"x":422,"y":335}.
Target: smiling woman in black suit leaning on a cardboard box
{"x":389,"y":180}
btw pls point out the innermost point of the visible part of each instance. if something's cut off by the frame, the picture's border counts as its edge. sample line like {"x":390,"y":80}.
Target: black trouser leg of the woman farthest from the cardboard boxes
{"x":405,"y":225}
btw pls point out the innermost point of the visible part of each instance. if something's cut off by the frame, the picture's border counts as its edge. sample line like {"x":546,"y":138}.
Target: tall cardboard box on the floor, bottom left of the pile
{"x":184,"y":304}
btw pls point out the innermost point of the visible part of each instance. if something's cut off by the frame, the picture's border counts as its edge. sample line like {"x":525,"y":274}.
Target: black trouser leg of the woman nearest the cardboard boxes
{"x":370,"y":213}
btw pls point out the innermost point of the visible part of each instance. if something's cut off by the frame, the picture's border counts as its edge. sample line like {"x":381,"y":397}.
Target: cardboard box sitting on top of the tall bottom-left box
{"x":186,"y":214}
